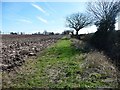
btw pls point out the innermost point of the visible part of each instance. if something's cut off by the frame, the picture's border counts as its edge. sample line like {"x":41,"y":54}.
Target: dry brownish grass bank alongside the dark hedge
{"x":96,"y":65}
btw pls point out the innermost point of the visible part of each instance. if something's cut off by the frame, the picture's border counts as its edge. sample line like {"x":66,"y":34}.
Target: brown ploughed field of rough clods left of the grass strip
{"x":17,"y":48}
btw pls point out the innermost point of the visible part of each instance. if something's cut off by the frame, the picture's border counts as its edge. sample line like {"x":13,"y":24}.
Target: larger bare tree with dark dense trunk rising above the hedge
{"x":104,"y":12}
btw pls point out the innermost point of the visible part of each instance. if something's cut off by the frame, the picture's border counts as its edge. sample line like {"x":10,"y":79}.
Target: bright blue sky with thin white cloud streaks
{"x":31,"y":17}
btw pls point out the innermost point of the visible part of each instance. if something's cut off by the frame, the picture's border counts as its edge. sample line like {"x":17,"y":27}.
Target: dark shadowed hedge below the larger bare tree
{"x":109,"y":42}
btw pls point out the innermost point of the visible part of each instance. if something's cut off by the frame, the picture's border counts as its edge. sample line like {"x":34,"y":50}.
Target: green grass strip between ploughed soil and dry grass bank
{"x":58,"y":66}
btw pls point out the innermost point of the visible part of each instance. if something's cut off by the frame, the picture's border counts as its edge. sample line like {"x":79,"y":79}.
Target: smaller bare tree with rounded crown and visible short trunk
{"x":78,"y":21}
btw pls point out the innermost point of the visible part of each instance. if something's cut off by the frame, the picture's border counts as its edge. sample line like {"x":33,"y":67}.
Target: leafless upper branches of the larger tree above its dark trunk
{"x":104,"y":9}
